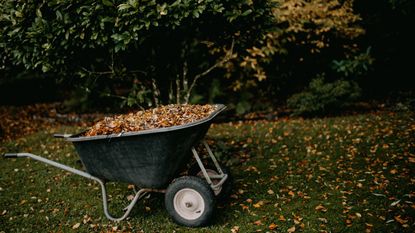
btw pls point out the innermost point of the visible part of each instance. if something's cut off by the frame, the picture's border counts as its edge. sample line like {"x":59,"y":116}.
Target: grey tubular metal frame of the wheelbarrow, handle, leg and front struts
{"x":141,"y":192}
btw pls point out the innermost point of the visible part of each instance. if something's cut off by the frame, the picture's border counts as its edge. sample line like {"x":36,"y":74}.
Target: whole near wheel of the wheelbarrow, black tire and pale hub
{"x":190,"y":201}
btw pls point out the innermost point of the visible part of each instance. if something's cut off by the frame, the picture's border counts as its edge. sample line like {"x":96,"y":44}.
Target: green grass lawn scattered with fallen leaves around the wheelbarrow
{"x":341,"y":174}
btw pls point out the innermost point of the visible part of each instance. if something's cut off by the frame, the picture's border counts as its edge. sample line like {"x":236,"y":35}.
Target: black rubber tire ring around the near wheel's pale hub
{"x":196,"y":184}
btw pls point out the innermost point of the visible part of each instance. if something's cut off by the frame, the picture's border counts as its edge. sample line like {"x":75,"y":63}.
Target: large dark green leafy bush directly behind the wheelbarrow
{"x":161,"y":46}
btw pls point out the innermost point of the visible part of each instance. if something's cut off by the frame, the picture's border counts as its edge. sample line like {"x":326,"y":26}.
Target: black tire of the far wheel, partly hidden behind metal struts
{"x":226,"y":190}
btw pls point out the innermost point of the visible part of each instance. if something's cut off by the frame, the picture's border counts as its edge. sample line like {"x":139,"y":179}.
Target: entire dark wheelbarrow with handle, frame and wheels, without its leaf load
{"x":153,"y":160}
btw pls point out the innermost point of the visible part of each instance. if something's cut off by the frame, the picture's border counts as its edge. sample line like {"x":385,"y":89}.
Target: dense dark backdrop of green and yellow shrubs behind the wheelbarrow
{"x":248,"y":54}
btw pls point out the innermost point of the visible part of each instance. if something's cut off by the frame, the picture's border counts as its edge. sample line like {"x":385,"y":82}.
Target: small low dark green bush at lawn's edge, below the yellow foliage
{"x":321,"y":97}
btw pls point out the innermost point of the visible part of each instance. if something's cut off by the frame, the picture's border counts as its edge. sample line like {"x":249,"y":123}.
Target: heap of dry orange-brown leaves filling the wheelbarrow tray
{"x":160,"y":117}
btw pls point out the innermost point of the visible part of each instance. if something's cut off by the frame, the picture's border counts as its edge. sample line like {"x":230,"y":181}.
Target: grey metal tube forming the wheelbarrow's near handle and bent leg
{"x":128,"y":209}
